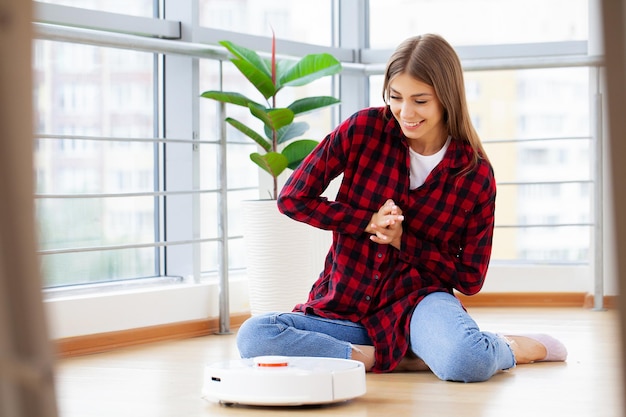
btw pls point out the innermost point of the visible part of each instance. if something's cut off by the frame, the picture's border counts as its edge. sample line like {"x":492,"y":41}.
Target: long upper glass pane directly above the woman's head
{"x":477,"y":22}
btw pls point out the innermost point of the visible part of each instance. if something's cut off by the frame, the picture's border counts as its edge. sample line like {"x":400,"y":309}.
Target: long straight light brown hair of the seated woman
{"x":431,"y":59}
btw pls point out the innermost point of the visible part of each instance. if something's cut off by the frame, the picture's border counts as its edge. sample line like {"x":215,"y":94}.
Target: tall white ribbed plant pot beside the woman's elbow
{"x":284,"y":257}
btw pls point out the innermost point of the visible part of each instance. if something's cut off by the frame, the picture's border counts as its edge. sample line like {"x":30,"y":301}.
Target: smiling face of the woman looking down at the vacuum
{"x":419,"y":112}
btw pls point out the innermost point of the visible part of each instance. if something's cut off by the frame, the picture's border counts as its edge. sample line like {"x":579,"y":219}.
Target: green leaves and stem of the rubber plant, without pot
{"x":269,"y":77}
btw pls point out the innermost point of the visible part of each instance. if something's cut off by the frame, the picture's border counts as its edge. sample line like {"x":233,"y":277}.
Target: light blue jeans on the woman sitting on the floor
{"x":442,"y":334}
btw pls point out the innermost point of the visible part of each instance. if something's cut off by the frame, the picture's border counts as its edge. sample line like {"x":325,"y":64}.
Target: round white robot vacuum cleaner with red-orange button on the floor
{"x":283,"y":381}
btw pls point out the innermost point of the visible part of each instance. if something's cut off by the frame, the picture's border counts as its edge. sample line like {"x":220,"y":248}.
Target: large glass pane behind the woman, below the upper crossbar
{"x":535,"y":125}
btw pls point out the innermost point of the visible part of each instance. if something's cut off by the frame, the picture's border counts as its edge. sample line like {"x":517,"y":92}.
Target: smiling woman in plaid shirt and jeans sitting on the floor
{"x":412,"y":221}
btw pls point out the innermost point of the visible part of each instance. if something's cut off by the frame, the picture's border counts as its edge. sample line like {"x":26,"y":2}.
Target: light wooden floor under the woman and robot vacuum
{"x":165,"y":379}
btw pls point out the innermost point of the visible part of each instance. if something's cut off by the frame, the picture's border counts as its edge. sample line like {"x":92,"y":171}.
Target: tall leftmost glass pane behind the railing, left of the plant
{"x":83,"y":96}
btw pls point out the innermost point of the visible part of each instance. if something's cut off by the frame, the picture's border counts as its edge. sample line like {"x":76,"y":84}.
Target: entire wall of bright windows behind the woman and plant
{"x":112,"y":189}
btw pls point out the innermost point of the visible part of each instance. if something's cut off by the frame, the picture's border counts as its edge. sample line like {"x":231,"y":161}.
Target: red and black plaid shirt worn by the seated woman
{"x":446,"y":241}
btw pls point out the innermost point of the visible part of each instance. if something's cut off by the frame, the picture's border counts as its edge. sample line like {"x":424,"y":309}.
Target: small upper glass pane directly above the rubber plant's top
{"x":289,"y":19}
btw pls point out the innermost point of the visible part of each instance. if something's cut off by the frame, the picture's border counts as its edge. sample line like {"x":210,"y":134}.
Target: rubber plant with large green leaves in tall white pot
{"x":282,"y":267}
